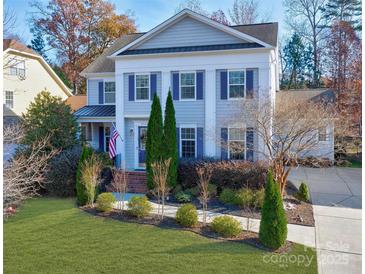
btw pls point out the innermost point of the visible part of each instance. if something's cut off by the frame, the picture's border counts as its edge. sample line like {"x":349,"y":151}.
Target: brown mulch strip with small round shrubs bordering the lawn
{"x":247,"y":237}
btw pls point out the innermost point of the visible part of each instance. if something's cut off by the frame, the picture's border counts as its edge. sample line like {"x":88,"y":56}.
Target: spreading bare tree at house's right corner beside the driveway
{"x":287,"y":130}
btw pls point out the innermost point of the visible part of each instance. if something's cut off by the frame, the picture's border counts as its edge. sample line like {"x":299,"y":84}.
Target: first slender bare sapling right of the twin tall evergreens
{"x":204,"y":174}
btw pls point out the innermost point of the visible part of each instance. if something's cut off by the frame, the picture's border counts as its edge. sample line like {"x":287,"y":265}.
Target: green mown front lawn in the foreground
{"x":53,"y":236}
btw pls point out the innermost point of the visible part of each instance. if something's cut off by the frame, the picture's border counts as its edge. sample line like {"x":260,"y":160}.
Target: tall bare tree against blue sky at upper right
{"x":306,"y":18}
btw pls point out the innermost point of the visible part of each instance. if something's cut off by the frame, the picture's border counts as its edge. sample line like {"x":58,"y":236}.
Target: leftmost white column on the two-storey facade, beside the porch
{"x":119,"y":115}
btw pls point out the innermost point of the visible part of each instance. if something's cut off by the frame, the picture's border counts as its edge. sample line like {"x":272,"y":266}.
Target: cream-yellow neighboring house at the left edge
{"x":25,"y":75}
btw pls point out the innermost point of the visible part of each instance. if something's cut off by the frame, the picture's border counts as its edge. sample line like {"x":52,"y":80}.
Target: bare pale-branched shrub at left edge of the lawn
{"x":24,"y":175}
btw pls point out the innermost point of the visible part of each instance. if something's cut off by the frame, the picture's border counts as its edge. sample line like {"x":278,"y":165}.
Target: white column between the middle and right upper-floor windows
{"x":210,"y":114}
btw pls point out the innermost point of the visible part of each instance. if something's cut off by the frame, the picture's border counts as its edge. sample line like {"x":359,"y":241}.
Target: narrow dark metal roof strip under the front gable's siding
{"x":191,"y":48}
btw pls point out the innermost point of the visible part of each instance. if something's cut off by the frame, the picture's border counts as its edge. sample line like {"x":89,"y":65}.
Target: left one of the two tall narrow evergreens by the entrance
{"x":154,"y":138}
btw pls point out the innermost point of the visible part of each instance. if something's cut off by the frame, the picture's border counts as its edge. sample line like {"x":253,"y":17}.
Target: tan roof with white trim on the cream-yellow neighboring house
{"x":15,"y":47}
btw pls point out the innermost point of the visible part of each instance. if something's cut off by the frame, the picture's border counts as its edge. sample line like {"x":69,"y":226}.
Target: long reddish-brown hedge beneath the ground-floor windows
{"x":226,"y":174}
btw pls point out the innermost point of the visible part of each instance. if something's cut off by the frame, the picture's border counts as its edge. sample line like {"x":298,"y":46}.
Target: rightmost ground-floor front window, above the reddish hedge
{"x":236,"y":143}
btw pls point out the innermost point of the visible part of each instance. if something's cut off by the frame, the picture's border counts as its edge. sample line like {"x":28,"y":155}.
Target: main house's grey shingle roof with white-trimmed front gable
{"x":262,"y":34}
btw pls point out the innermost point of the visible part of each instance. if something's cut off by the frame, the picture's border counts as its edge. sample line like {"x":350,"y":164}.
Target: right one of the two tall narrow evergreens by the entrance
{"x":169,"y":140}
